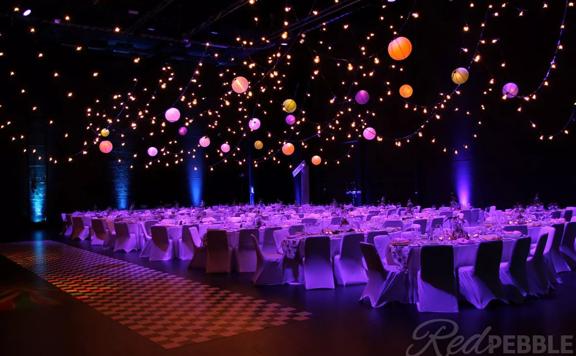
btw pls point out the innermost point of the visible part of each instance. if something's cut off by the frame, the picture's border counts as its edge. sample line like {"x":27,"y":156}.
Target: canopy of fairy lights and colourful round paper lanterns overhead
{"x":235,"y":118}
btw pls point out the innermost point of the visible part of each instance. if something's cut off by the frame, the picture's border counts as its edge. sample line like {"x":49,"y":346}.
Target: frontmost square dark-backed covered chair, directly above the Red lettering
{"x":437,"y":286}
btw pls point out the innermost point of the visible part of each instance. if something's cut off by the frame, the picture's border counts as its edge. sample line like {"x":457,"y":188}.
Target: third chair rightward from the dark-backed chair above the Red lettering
{"x":541,"y":279}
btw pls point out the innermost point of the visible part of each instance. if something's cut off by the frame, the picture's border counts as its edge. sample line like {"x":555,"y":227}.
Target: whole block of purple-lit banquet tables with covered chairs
{"x":428,"y":257}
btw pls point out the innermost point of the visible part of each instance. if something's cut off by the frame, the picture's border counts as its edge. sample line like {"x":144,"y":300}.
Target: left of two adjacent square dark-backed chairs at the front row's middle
{"x":317,"y":263}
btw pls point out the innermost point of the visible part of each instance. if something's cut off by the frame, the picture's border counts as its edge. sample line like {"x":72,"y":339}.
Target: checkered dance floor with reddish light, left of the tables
{"x":168,"y":310}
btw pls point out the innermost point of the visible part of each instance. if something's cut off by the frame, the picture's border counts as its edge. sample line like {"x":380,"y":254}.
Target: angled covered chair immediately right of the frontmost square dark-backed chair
{"x":480,"y":284}
